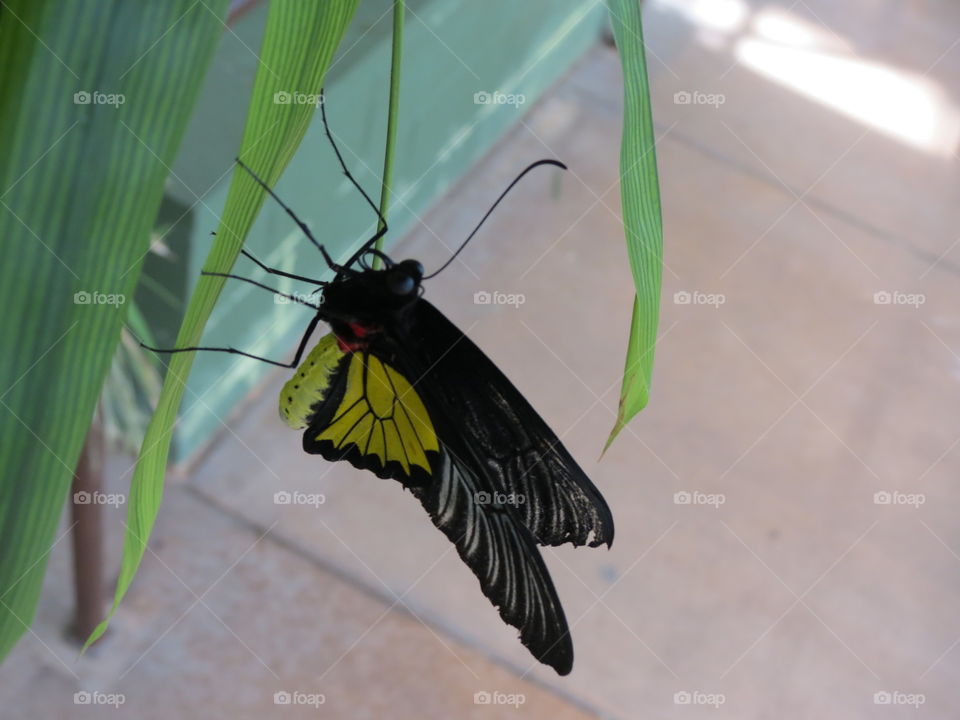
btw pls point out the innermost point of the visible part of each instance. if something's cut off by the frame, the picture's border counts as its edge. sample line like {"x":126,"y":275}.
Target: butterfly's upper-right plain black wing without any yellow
{"x":503,"y":436}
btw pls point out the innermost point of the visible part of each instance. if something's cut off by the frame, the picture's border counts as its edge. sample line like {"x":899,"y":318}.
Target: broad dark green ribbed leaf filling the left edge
{"x":94,"y":100}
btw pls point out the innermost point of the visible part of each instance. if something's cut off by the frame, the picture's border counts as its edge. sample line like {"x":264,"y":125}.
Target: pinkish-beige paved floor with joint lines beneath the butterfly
{"x":806,"y":400}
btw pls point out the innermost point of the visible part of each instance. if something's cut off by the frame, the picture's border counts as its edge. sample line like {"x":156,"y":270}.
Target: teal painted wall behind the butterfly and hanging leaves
{"x":453,"y":50}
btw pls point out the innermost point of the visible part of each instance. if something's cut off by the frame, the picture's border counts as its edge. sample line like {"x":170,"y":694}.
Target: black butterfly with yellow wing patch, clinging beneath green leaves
{"x":397,"y":389}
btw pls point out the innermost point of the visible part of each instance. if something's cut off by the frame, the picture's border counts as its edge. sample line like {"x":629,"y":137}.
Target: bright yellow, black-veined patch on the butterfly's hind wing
{"x":383,"y":416}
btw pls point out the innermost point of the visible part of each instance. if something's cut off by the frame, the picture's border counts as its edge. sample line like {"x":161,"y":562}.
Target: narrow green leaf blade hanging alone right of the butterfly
{"x":640,"y":200}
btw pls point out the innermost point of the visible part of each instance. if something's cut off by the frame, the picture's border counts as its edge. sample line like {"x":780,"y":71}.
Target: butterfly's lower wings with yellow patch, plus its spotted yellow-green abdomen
{"x":368,"y":410}
